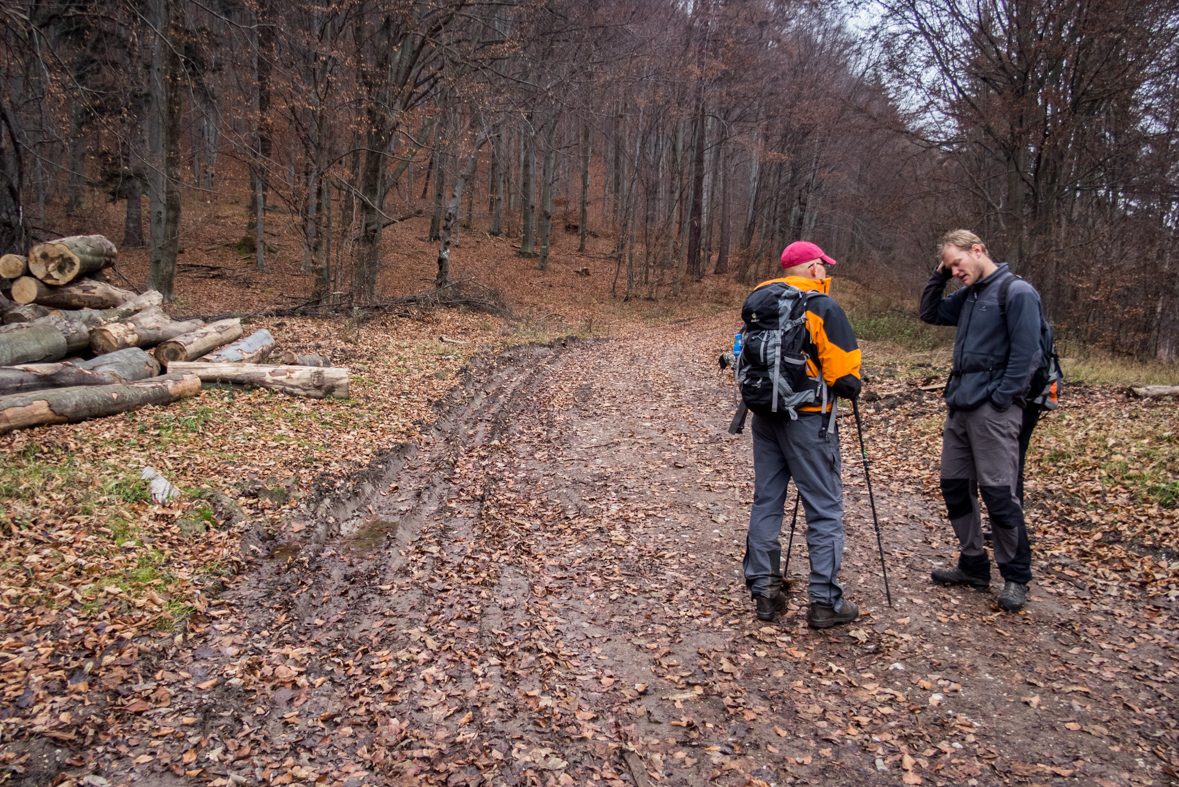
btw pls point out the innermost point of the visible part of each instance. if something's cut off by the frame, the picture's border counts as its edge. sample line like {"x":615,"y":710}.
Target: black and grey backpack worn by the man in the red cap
{"x":772,"y":371}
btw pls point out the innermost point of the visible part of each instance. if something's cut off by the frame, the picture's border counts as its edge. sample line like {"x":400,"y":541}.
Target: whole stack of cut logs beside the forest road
{"x":75,"y":348}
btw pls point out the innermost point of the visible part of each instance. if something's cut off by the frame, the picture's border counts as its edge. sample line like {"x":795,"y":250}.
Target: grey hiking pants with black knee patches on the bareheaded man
{"x":982,"y":454}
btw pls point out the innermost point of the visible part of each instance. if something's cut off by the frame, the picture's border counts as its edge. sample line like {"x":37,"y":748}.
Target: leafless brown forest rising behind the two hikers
{"x":701,"y":137}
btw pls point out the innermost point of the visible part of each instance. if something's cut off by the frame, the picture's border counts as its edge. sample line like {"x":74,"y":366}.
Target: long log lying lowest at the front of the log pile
{"x":82,"y":404}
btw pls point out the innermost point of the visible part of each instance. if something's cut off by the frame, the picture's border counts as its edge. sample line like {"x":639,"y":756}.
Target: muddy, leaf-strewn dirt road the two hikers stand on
{"x":549,"y":593}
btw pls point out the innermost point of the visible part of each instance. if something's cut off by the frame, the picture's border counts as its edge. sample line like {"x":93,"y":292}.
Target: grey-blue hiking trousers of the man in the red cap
{"x":786,"y":449}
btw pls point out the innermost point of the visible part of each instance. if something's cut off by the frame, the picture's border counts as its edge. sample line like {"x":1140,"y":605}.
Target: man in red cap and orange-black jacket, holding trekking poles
{"x":802,"y":442}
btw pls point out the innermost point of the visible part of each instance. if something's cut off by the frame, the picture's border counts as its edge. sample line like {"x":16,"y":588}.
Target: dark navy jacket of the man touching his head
{"x":994,"y":358}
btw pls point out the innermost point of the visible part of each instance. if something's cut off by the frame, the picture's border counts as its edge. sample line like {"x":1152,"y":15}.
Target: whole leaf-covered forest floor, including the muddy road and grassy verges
{"x":518,"y":563}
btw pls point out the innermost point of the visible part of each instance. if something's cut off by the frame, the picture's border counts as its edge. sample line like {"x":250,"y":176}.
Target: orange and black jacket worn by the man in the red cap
{"x":831,"y":341}
